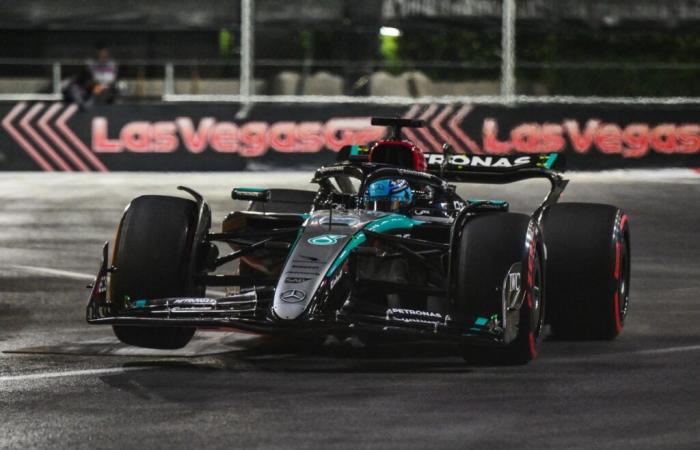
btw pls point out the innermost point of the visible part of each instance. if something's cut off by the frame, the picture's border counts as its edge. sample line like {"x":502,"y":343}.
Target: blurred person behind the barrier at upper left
{"x":96,"y":83}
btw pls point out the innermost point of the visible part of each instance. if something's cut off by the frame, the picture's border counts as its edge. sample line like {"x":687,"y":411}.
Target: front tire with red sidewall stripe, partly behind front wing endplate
{"x":489,"y":247}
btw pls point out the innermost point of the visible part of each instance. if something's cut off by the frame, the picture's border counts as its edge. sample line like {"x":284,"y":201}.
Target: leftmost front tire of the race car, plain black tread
{"x":152,"y":255}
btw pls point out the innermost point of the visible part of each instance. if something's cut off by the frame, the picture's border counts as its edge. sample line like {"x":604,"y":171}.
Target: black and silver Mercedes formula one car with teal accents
{"x":384,"y":247}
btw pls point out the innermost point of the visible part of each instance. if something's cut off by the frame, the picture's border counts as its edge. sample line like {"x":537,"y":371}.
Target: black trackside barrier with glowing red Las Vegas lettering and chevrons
{"x":184,"y":136}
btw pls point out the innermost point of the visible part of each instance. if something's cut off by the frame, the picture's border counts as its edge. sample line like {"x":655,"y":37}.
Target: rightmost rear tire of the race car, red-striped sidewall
{"x":588,"y":270}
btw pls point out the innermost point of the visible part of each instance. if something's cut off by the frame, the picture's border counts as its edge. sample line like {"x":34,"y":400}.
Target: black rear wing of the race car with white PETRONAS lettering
{"x":494,"y":169}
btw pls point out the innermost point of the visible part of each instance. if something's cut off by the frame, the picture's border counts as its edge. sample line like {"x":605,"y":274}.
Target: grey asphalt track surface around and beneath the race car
{"x":231,"y":390}
